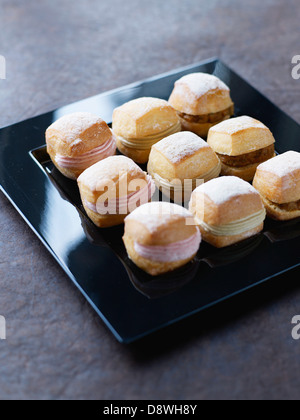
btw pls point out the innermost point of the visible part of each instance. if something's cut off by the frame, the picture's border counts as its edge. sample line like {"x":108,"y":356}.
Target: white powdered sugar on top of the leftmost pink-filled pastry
{"x":73,"y":125}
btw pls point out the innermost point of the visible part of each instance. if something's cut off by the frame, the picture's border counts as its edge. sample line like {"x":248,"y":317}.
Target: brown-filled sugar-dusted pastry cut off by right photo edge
{"x":278,"y":182}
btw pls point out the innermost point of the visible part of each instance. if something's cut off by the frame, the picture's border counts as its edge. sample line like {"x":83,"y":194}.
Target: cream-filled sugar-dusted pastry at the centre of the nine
{"x":179,"y":163}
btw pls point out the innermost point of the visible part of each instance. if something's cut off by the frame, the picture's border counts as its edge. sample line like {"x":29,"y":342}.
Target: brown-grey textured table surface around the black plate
{"x":58,"y":52}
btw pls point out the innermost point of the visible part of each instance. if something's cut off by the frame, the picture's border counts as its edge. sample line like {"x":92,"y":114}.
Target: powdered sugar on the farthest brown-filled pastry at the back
{"x":201,"y":83}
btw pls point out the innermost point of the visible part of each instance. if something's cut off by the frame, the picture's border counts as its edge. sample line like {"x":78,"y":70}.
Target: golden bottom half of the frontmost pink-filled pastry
{"x":151,"y":267}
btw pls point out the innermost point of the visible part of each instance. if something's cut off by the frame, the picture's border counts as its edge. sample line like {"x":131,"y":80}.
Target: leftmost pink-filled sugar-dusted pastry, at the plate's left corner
{"x":77,"y":141}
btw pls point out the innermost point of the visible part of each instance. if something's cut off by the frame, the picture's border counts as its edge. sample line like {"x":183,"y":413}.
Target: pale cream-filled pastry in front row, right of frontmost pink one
{"x":227,"y":210}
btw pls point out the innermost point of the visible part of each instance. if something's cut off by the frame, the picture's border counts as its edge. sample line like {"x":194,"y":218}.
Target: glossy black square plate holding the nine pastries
{"x":131,"y":303}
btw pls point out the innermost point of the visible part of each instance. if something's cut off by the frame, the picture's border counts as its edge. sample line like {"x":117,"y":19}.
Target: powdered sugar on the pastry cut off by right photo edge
{"x":282,"y":165}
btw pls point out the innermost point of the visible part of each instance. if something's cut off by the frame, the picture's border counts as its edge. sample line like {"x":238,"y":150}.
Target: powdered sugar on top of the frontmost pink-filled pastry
{"x":156,"y":214}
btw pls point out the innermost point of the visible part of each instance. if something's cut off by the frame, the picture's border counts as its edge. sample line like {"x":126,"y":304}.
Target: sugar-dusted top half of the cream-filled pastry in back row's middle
{"x":143,"y":117}
